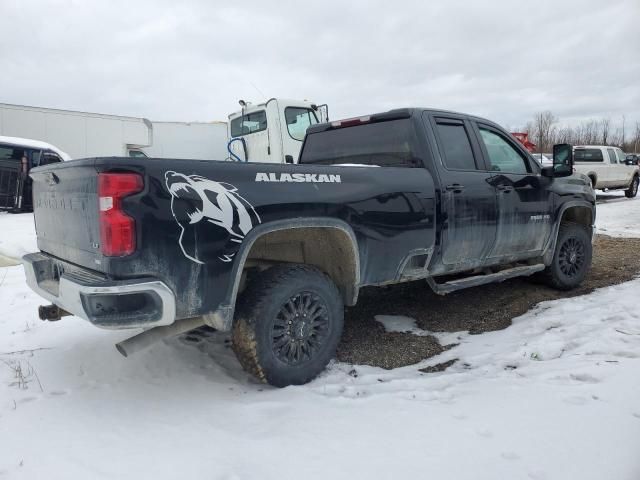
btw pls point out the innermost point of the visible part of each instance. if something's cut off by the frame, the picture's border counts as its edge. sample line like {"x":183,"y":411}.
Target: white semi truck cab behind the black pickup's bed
{"x":273,"y":131}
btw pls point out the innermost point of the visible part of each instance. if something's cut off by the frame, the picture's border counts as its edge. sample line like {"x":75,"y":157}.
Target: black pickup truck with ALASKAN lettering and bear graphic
{"x":273,"y":252}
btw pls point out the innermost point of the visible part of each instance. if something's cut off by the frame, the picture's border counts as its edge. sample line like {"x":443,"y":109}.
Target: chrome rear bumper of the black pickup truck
{"x":114,"y":304}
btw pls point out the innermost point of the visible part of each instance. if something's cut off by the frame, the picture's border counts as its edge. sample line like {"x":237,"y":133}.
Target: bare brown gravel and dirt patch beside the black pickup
{"x":479,"y":309}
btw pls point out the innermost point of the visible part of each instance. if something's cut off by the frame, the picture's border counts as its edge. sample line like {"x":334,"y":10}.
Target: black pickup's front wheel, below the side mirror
{"x":571,"y":258}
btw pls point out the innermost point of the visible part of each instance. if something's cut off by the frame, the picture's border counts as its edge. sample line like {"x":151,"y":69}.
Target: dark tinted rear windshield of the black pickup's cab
{"x":385,"y":144}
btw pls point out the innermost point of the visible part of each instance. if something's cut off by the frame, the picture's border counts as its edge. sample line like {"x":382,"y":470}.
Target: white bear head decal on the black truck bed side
{"x":210,"y":214}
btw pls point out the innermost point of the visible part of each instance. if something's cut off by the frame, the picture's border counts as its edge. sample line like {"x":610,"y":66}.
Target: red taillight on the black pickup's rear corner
{"x":117,"y":229}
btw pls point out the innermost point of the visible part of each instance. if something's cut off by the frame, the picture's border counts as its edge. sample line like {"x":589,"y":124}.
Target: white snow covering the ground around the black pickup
{"x":554,"y":396}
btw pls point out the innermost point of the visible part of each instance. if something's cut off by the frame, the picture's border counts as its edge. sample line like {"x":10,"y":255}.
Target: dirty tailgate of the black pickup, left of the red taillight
{"x":66,"y":211}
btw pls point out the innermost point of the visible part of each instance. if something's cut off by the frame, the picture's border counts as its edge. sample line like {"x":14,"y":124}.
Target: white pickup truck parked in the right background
{"x":606,"y":167}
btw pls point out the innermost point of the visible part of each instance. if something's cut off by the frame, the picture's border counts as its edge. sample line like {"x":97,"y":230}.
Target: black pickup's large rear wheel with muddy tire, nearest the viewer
{"x":272,"y":337}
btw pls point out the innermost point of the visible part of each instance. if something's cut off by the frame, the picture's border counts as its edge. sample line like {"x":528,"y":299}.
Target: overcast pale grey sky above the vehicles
{"x":193,"y":60}
